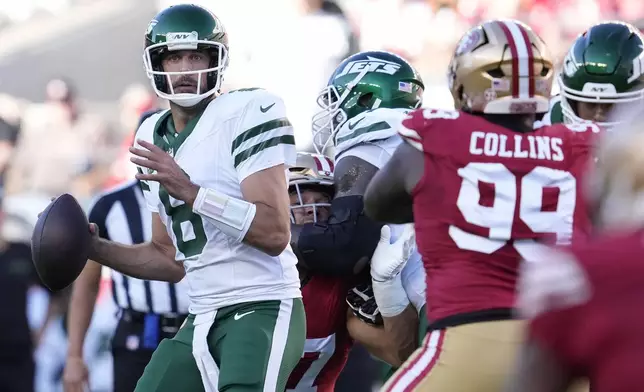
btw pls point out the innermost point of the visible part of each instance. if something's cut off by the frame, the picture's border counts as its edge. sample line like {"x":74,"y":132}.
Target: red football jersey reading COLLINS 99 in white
{"x":486,"y":196}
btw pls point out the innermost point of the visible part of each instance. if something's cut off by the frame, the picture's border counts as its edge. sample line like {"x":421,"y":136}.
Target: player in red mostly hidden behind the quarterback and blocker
{"x":327,"y":341}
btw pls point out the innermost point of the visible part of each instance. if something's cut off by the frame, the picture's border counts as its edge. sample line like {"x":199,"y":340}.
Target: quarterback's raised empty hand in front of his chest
{"x":164,"y":170}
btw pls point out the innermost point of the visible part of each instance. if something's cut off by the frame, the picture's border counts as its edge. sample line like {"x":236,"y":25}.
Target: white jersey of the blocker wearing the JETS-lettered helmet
{"x":373,"y":137}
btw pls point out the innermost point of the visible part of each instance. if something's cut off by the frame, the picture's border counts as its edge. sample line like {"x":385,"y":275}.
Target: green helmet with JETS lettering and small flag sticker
{"x":362,"y":82}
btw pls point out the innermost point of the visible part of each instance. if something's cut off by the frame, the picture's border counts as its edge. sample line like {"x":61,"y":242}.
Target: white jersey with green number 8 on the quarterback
{"x":238,"y":134}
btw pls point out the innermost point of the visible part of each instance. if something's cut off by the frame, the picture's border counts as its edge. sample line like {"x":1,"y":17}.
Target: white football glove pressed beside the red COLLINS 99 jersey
{"x":387,"y":262}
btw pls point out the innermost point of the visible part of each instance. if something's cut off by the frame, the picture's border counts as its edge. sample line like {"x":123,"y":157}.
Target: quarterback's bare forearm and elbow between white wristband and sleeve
{"x":270,"y":230}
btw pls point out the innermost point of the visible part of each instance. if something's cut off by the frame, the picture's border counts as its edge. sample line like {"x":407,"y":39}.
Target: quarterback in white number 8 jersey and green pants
{"x":213,"y":169}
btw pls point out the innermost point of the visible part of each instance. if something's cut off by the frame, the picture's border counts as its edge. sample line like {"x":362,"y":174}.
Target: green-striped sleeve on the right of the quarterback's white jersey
{"x":263,"y":136}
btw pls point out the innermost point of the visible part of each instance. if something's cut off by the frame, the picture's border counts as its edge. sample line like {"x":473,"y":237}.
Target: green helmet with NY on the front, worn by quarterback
{"x":185,"y":27}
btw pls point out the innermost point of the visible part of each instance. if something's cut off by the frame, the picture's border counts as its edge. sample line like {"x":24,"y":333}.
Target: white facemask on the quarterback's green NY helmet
{"x":210,"y":77}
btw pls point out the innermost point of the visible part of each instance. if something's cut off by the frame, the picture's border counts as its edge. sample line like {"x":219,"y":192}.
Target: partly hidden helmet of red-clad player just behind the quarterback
{"x":311,"y":171}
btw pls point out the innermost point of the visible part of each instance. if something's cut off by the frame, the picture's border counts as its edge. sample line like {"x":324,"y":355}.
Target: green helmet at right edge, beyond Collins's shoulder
{"x":604,"y":65}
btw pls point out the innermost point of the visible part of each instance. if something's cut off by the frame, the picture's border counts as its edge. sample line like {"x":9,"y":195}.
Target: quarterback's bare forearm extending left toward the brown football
{"x":143,"y":261}
